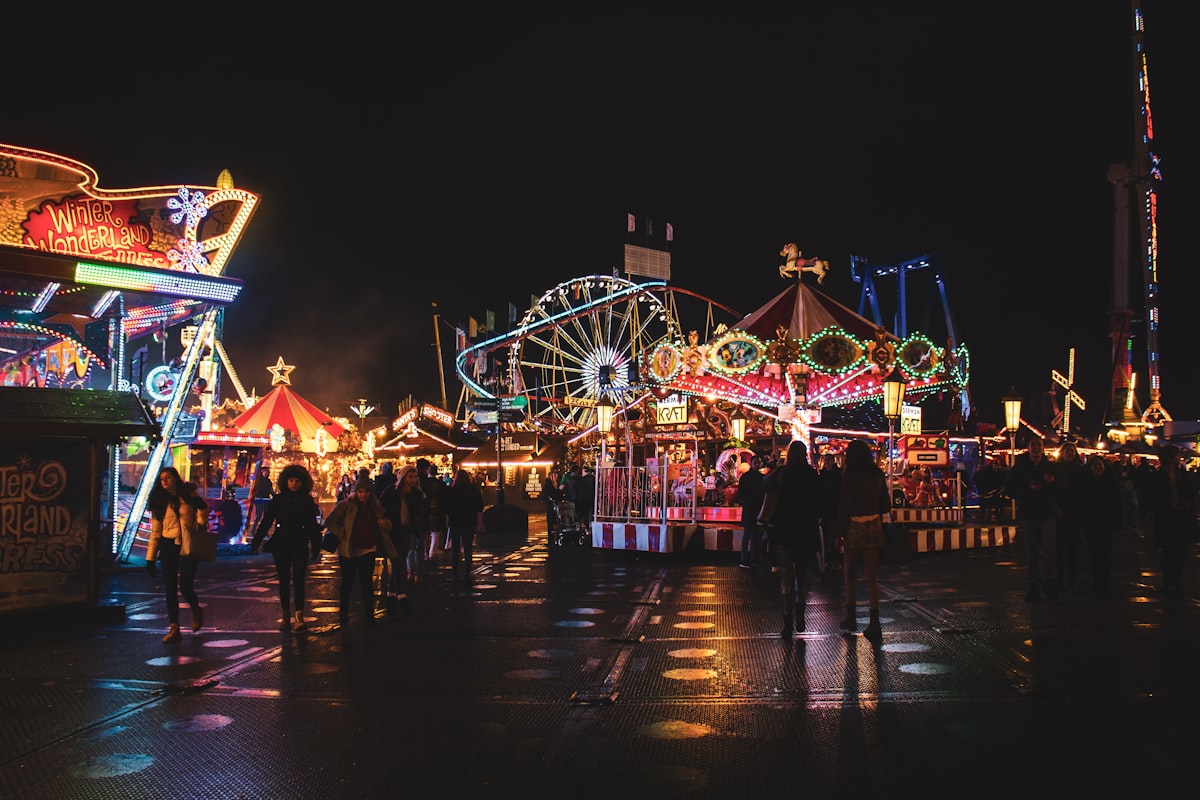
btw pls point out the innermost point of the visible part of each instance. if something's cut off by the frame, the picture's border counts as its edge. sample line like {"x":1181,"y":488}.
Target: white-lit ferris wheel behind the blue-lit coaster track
{"x":581,"y":339}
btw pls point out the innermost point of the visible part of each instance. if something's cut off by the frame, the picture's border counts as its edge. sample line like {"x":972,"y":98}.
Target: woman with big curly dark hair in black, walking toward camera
{"x":295,"y":515}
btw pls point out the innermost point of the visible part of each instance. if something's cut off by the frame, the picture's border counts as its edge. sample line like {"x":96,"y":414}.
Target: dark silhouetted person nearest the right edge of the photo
{"x":1172,"y":495}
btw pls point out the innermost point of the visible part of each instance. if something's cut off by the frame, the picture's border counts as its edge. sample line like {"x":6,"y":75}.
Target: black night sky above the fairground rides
{"x":476,"y":160}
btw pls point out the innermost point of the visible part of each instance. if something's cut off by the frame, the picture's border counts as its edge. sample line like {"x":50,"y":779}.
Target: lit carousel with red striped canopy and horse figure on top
{"x":773,"y":375}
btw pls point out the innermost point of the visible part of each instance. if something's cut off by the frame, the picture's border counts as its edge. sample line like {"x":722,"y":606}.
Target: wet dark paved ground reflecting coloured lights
{"x":578,"y":673}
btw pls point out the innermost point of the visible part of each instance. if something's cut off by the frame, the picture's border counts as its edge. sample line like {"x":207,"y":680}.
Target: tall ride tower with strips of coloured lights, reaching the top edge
{"x":1137,"y":182}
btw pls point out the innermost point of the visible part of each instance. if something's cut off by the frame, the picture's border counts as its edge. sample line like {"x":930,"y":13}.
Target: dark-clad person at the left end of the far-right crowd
{"x":1031,"y":483}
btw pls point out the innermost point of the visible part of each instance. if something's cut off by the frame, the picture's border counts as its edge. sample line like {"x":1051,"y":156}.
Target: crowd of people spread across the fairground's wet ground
{"x":793,"y":514}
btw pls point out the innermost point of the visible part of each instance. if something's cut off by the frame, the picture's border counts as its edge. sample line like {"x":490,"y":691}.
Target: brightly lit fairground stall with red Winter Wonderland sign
{"x":122,"y":291}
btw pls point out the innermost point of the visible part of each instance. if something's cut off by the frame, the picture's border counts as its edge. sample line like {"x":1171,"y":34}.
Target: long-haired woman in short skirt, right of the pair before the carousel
{"x":862,"y":504}
